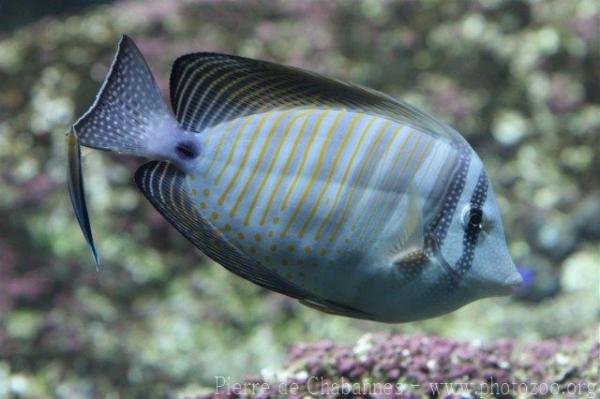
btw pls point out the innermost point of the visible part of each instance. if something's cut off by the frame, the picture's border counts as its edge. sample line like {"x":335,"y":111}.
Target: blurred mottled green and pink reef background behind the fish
{"x":519,"y":79}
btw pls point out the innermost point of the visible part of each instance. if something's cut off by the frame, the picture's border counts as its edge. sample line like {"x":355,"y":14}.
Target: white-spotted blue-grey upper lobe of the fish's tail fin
{"x":128,"y":115}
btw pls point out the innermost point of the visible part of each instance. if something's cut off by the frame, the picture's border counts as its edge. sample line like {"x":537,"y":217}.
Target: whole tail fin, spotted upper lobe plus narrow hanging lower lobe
{"x":128,"y":116}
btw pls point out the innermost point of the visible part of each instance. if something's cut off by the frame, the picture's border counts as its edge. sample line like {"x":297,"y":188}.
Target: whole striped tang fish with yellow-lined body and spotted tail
{"x":342,"y":197}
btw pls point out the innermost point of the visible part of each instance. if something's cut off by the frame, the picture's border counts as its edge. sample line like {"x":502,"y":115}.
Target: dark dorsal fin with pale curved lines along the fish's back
{"x":210,"y":88}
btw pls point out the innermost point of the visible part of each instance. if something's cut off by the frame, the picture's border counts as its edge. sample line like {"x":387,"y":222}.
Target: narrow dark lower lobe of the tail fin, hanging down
{"x":77,"y":192}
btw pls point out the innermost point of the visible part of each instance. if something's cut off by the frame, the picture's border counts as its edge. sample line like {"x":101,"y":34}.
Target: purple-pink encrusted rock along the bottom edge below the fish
{"x":416,"y":366}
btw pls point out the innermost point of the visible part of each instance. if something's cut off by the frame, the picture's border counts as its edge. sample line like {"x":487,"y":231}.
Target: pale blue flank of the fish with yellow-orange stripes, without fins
{"x":308,"y":191}
